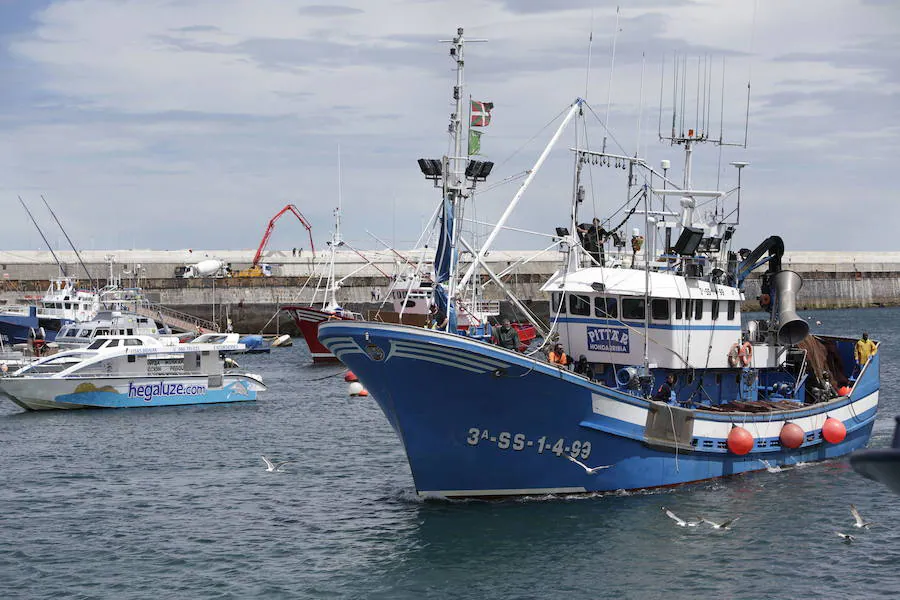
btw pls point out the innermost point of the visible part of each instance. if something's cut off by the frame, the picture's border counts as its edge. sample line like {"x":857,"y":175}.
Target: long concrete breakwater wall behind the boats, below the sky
{"x":830,"y":280}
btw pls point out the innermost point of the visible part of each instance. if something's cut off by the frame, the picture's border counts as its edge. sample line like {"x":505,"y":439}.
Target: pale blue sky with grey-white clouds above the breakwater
{"x":169,"y":124}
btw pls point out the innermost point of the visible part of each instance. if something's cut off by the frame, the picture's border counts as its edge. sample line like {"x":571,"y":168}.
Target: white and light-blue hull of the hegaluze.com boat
{"x":42,"y":393}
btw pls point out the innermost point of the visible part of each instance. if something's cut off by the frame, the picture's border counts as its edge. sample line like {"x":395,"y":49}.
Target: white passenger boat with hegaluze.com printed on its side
{"x":131,"y":371}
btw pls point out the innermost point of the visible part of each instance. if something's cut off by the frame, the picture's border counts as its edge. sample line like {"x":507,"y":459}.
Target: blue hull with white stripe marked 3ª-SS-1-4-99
{"x":476,"y":420}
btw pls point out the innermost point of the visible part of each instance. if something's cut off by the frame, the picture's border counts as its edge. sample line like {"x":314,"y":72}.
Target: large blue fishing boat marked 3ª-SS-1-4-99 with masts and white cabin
{"x":673,"y":387}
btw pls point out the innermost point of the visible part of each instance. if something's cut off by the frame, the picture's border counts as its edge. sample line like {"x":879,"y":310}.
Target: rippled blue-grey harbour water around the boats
{"x":176,"y":503}
